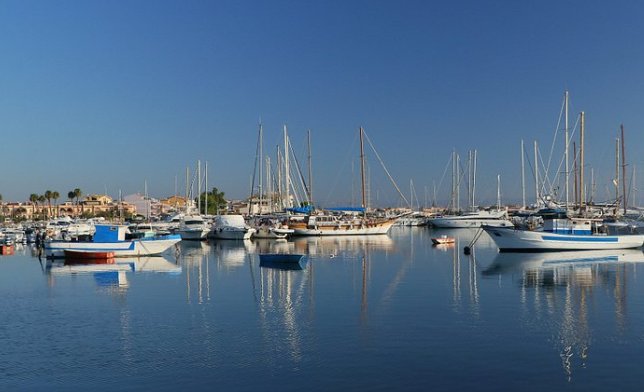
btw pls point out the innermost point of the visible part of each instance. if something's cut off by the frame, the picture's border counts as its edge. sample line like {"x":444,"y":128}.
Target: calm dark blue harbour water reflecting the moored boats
{"x":367,"y":313}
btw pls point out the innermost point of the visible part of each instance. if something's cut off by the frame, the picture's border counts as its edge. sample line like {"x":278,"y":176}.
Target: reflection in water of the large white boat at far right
{"x":559,"y":288}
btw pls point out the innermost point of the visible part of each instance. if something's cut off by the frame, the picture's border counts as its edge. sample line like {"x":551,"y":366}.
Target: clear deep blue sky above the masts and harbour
{"x":108,"y":95}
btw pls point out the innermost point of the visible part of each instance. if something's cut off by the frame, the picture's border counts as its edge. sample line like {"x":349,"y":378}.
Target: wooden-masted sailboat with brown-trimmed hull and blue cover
{"x":327,"y":224}
